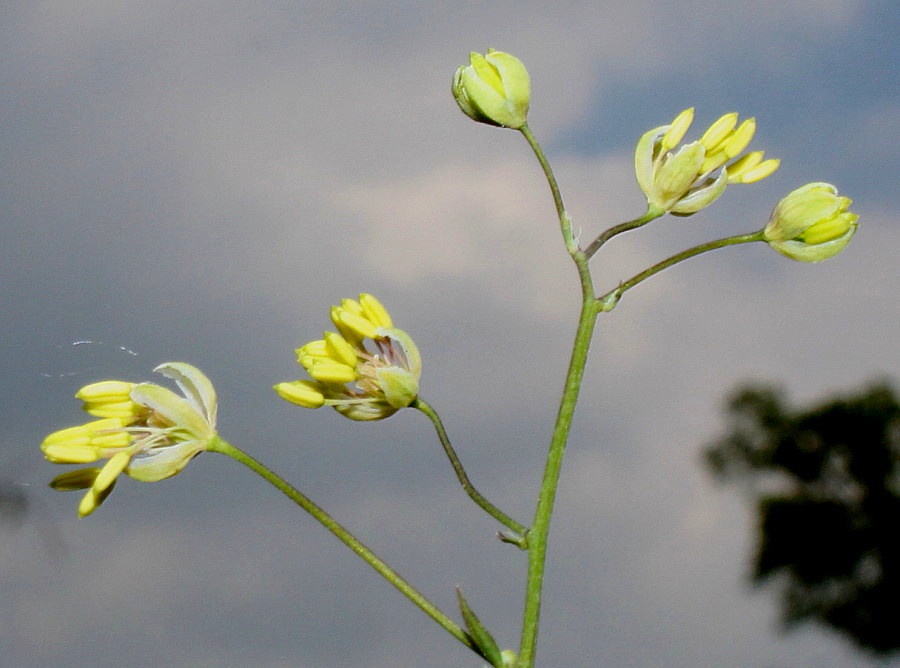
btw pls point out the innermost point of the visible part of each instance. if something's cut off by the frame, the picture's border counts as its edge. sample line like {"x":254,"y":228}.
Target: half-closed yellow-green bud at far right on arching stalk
{"x":811,"y":224}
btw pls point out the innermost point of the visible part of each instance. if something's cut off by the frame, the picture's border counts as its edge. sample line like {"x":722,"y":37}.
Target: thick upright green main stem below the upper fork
{"x":537,"y":537}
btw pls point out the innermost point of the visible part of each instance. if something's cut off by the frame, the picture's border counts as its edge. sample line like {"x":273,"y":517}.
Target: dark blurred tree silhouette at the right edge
{"x":827,"y":484}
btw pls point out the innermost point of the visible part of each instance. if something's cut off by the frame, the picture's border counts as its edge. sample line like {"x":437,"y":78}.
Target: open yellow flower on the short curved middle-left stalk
{"x":358,"y":382}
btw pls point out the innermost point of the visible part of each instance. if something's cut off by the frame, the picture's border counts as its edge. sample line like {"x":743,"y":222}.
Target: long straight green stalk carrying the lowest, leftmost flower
{"x":345,"y":537}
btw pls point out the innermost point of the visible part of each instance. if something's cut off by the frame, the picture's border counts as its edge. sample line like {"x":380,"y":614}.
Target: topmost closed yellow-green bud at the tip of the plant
{"x":494,"y":89}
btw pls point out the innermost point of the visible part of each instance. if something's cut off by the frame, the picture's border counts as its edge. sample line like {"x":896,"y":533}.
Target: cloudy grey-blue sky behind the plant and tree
{"x":201,"y":181}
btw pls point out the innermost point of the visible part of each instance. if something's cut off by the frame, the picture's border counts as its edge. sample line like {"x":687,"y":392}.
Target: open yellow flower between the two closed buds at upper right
{"x":684,"y":181}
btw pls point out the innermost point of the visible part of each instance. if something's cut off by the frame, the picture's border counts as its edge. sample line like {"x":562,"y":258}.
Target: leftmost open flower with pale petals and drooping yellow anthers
{"x":144,"y":430}
